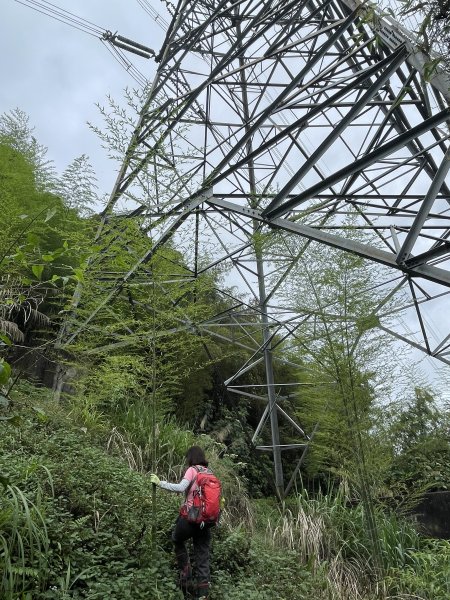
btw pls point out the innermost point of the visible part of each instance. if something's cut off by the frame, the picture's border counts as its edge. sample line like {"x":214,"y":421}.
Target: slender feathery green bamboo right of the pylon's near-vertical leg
{"x":343,"y":373}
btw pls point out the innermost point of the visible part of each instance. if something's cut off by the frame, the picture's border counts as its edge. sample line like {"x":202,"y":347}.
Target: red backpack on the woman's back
{"x":206,"y":498}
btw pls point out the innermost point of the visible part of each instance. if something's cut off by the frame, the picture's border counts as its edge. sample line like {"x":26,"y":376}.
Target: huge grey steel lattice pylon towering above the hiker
{"x":293,"y":116}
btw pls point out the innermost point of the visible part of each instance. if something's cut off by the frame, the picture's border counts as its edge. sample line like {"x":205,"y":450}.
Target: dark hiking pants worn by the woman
{"x":201,"y":539}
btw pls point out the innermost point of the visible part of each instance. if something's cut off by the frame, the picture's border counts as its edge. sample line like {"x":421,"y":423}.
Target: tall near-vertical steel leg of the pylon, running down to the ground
{"x":268,"y":357}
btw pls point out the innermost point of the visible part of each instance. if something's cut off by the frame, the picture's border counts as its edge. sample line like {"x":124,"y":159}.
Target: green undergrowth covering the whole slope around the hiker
{"x":76,"y":522}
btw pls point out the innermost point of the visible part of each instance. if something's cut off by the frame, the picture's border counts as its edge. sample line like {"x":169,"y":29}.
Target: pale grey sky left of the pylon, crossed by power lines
{"x":56,"y":74}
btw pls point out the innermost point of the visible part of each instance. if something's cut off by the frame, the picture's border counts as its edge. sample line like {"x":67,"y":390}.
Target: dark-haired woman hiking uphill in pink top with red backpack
{"x":185,"y":528}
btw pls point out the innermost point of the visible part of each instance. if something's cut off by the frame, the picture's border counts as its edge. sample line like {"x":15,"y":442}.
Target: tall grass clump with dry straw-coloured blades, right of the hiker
{"x":331,"y":539}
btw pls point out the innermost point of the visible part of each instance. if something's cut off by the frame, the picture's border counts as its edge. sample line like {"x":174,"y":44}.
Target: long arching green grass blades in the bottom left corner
{"x":23,"y":543}
